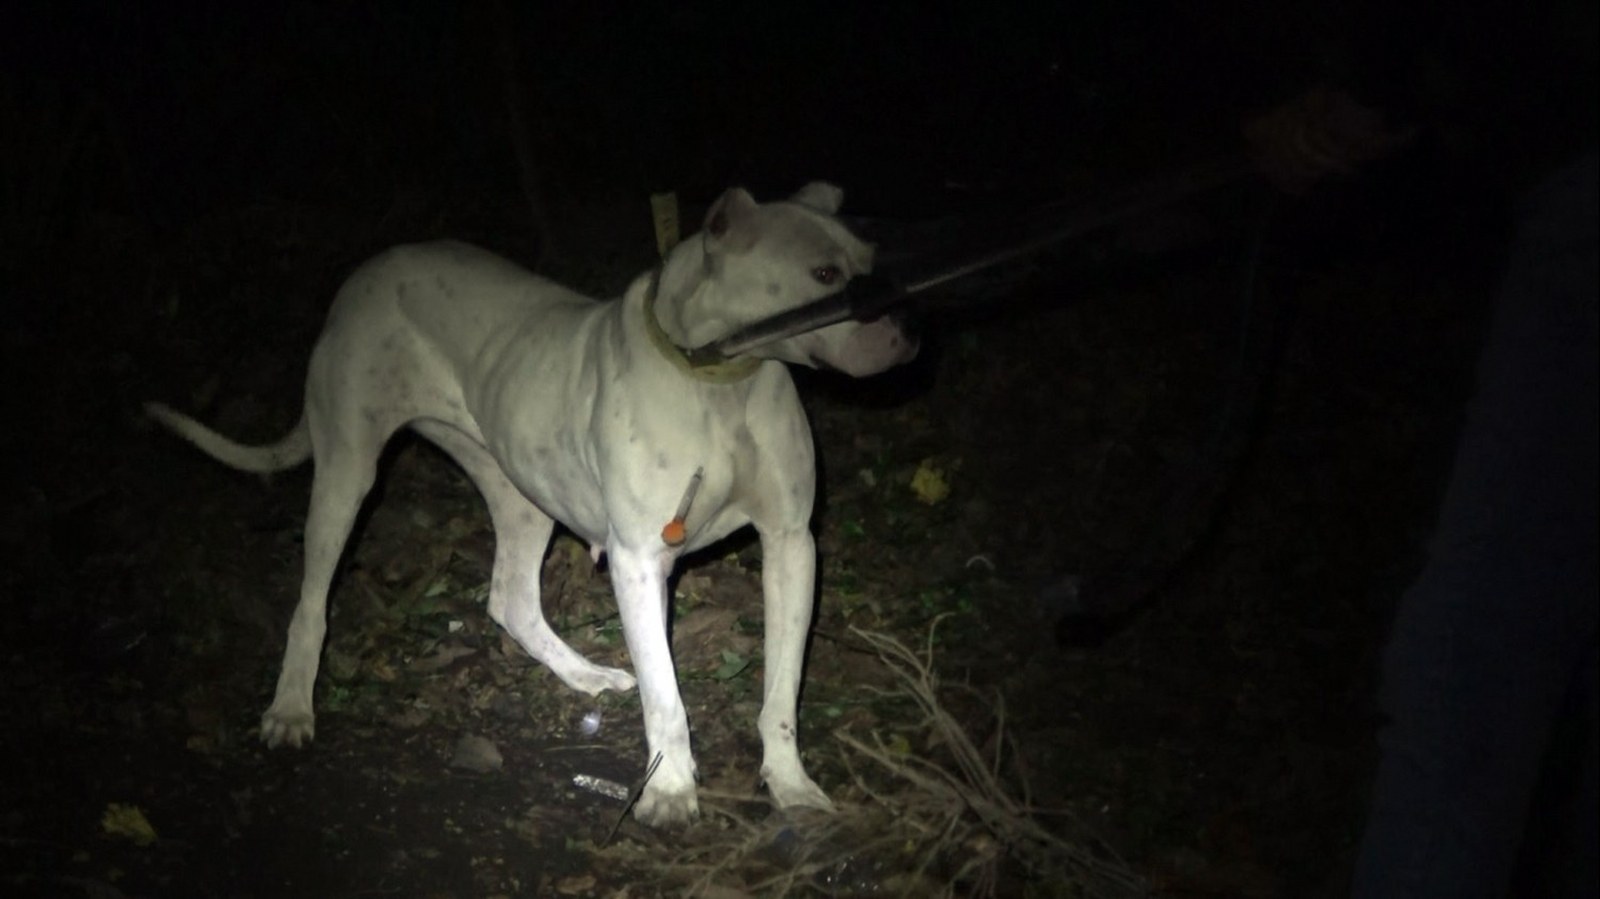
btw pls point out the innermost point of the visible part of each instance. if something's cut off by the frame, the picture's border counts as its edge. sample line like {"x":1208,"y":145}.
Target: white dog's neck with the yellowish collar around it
{"x":671,"y":302}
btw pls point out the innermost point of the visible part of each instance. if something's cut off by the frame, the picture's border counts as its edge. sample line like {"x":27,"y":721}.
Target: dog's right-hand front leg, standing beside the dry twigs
{"x":788,"y":583}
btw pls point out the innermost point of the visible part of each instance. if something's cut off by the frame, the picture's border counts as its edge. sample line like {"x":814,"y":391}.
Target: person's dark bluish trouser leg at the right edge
{"x":1487,"y":783}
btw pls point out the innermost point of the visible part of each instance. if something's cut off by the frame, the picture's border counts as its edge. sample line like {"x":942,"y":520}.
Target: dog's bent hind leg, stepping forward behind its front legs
{"x":521,"y":537}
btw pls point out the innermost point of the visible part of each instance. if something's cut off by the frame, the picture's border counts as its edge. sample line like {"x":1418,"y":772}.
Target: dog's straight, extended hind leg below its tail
{"x":346,"y":466}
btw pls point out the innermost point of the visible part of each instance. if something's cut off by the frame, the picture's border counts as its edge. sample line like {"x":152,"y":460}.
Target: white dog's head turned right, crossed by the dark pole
{"x":769,"y":258}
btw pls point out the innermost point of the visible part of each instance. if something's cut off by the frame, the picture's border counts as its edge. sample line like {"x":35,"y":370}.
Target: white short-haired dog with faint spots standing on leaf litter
{"x":569,"y":410}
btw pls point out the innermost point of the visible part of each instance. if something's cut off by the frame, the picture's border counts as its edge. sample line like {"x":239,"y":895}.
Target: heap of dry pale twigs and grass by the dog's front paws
{"x":945,"y":826}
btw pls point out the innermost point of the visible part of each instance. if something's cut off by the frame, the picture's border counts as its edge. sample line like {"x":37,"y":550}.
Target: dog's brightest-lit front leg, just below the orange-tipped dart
{"x":641,"y":583}
